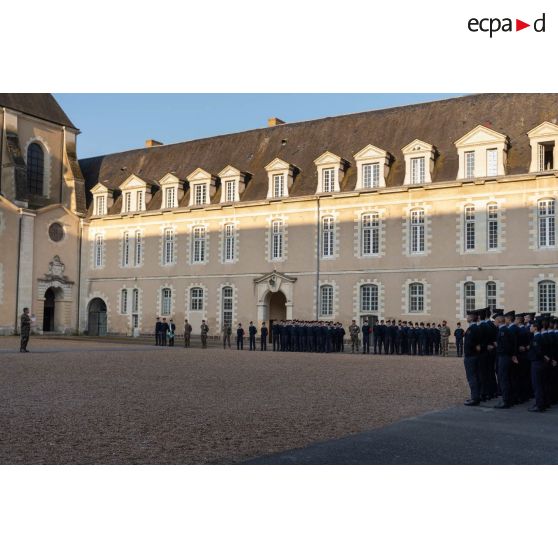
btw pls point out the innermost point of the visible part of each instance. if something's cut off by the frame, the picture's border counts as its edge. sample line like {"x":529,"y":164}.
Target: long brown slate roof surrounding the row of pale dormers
{"x":439,"y":123}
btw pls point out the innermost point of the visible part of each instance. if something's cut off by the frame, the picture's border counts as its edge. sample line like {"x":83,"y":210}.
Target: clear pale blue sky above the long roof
{"x":120,"y":121}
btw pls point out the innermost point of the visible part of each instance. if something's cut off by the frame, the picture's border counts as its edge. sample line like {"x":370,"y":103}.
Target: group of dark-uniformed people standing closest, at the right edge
{"x":511,"y":355}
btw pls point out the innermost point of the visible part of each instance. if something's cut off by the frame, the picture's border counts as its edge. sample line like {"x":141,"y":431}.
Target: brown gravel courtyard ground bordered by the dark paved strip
{"x":114,"y":403}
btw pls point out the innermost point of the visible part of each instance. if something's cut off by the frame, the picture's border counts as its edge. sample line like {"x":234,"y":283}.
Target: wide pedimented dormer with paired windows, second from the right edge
{"x":482,"y":153}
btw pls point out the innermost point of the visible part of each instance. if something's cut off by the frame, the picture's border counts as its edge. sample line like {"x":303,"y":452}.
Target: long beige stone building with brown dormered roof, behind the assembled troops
{"x":416,"y":212}
